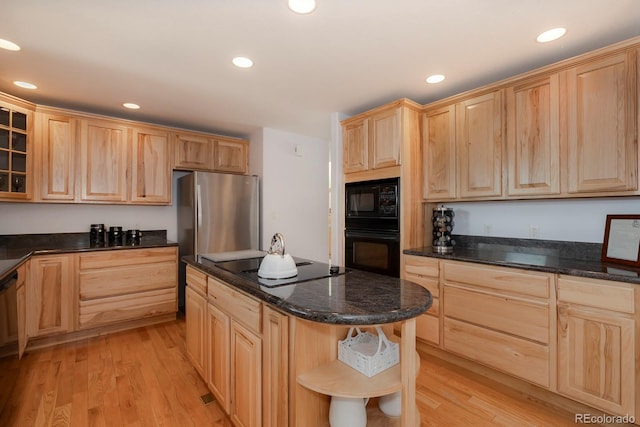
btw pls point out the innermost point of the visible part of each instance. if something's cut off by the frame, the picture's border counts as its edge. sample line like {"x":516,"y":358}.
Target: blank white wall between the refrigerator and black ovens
{"x":294,"y":176}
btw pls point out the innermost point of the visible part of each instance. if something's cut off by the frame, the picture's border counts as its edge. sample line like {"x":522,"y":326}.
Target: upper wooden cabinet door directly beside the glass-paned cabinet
{"x":58,"y":156}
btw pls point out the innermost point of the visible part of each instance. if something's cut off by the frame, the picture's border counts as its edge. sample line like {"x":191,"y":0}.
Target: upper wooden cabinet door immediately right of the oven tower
{"x":439,"y":161}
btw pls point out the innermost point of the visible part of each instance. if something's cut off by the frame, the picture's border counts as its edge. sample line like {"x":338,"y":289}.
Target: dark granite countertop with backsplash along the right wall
{"x":572,"y":258}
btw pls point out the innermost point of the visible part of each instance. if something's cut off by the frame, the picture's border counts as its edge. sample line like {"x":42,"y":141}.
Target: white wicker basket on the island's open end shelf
{"x":368,"y":353}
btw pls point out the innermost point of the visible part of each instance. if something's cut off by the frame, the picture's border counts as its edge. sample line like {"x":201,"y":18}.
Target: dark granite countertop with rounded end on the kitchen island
{"x":354,"y":298}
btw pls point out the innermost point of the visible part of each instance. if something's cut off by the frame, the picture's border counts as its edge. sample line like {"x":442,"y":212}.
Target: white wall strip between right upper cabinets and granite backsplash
{"x":575,"y":220}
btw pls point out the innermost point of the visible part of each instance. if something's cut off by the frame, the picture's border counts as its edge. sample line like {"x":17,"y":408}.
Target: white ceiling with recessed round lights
{"x":174,"y":57}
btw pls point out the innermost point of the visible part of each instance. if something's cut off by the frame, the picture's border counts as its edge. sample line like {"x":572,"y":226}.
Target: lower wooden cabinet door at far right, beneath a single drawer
{"x":596,"y":358}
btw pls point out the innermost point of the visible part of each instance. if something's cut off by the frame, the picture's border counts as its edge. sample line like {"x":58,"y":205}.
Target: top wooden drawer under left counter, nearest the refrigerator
{"x":114,"y":258}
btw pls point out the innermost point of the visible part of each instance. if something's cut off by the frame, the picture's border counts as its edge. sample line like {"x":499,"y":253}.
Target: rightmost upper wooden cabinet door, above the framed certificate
{"x":602,"y":115}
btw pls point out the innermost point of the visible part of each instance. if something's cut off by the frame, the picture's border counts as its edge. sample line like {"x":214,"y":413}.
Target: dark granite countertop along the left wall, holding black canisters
{"x":17,"y":248}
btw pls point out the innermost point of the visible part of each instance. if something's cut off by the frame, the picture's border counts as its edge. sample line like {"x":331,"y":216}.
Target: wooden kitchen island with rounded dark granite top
{"x":294,"y":331}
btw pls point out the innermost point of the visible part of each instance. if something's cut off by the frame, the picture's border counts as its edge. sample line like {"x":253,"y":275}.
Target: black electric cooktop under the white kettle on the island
{"x":307,"y":270}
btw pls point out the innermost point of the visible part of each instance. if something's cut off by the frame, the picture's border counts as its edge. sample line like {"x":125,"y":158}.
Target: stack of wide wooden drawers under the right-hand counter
{"x":500,"y":317}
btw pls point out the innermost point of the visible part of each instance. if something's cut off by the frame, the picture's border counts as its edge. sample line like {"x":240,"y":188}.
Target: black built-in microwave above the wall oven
{"x":373,"y":204}
